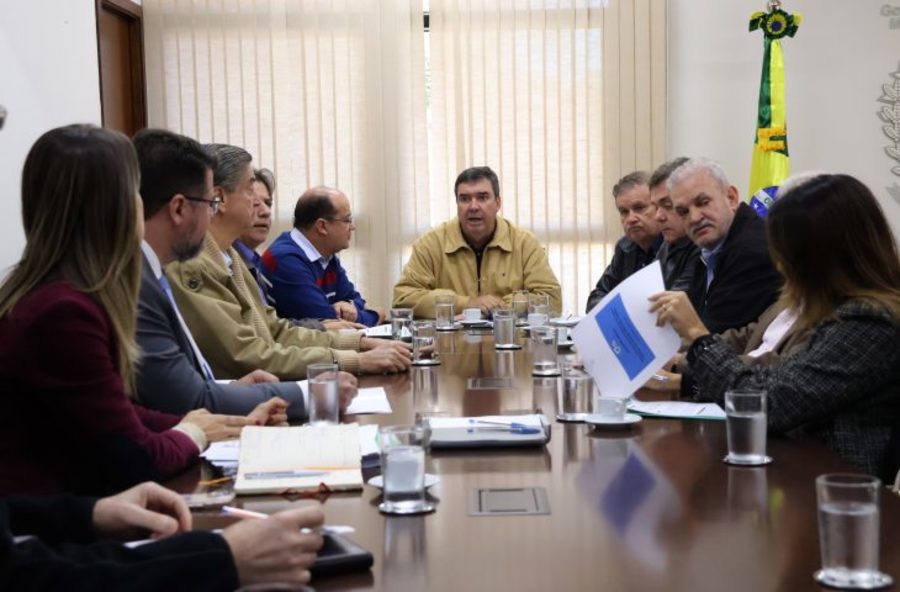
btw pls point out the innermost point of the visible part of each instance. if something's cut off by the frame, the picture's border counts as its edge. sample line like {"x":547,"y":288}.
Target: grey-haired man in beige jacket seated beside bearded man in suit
{"x":234,"y":329}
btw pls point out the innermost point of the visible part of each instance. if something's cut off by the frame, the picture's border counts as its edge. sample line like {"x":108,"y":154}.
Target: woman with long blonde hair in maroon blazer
{"x":67,"y":324}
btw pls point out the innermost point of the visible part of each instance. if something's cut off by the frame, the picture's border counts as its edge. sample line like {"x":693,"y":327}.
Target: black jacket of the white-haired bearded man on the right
{"x":745,"y":282}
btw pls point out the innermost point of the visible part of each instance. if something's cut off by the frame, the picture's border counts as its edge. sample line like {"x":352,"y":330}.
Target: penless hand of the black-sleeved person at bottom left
{"x":144,"y":509}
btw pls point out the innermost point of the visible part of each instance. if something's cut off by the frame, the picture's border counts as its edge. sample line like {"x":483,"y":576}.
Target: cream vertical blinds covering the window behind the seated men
{"x":560,"y":98}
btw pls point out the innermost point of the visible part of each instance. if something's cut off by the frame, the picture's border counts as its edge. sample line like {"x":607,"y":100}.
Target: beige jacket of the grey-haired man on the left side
{"x":237,"y":333}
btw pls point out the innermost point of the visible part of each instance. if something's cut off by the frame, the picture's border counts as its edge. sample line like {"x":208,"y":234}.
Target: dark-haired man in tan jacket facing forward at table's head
{"x":478,"y":257}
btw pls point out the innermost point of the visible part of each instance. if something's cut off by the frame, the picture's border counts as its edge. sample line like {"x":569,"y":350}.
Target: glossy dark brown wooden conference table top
{"x":648,"y":508}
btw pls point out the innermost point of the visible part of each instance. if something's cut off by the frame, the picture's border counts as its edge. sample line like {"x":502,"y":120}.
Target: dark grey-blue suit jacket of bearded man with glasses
{"x":169,"y":377}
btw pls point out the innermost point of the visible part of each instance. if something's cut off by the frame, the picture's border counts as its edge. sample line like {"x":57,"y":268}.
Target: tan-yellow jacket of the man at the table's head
{"x":443,"y":263}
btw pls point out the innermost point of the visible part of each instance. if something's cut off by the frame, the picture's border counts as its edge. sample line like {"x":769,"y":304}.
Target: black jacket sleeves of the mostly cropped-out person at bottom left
{"x":189,"y":561}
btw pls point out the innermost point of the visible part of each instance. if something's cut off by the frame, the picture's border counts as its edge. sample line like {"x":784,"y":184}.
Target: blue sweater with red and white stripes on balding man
{"x":301,"y":288}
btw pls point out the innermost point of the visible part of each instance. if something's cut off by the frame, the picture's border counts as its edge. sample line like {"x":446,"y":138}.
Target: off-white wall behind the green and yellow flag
{"x":834,"y":67}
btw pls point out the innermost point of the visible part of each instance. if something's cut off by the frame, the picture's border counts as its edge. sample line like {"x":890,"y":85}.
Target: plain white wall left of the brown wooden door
{"x":49,"y":76}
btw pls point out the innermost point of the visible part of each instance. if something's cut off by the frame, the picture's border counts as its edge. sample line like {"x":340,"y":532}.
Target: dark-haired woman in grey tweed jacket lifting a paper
{"x":830,"y":240}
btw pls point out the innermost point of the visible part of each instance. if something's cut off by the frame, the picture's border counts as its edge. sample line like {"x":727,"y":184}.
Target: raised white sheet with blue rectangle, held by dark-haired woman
{"x":619,"y":342}
